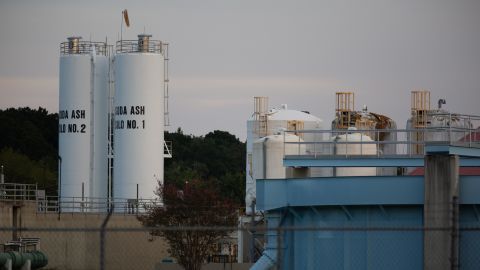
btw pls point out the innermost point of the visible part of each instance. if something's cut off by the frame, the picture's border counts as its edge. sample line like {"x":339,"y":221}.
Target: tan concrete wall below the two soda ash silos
{"x":72,"y":249}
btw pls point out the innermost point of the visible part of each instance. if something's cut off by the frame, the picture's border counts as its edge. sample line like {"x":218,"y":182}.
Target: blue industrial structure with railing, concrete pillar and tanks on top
{"x":377,"y":210}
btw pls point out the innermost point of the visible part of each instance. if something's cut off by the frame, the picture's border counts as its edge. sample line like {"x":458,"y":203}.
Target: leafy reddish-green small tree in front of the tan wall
{"x":198,"y":205}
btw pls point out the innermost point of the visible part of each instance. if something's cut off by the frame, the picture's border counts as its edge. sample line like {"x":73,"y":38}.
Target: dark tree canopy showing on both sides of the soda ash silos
{"x":29,"y":154}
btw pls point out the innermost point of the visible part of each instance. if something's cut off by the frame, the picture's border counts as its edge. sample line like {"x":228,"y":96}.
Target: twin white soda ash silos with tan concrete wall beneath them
{"x":113,"y":109}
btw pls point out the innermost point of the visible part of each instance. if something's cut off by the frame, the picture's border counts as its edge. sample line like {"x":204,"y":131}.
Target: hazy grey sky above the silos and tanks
{"x":223,"y":53}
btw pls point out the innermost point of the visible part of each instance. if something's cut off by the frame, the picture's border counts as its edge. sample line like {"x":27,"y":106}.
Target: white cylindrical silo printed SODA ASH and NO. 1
{"x":139,"y":118}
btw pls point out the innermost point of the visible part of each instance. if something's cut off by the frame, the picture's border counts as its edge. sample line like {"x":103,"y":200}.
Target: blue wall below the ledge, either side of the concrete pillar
{"x":376,"y":247}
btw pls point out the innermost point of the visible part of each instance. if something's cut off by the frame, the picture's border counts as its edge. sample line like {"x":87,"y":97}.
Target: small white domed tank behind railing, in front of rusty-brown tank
{"x":346,"y":146}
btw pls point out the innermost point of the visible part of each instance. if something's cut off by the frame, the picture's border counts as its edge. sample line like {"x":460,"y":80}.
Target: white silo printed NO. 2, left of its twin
{"x":83,"y":121}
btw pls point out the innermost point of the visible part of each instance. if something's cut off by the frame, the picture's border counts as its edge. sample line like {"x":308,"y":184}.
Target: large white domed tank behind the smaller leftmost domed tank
{"x":265,"y":122}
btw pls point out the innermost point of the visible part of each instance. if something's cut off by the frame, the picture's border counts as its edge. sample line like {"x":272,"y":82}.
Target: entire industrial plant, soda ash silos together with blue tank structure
{"x":357,"y":192}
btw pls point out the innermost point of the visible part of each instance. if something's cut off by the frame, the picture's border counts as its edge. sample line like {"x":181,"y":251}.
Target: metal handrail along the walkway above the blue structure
{"x":393,"y":142}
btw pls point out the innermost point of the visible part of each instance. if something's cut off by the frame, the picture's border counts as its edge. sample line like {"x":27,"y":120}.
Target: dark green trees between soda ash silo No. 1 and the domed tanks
{"x":218,"y":158}
